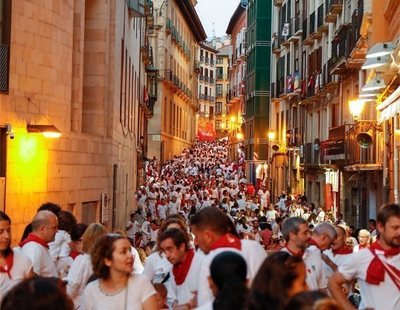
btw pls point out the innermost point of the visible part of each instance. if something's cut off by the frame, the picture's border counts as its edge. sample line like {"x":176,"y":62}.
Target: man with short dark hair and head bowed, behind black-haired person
{"x":214,"y":233}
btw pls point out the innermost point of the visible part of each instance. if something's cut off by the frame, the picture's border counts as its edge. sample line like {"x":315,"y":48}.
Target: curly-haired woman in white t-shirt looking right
{"x":116,"y":287}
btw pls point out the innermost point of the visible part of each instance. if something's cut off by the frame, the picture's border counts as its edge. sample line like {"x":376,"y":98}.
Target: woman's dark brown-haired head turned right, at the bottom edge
{"x":279,"y":278}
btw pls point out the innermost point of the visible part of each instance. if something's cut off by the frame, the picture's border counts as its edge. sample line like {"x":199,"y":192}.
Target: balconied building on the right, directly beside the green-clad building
{"x":318,"y":52}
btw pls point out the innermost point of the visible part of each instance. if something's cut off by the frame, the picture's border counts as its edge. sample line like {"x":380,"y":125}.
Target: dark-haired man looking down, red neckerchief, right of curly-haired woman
{"x":186,"y":263}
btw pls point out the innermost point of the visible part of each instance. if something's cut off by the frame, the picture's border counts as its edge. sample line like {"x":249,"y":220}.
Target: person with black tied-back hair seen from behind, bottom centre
{"x":228,"y":272}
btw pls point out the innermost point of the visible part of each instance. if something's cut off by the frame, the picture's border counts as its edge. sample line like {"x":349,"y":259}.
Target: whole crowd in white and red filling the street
{"x":203,"y":237}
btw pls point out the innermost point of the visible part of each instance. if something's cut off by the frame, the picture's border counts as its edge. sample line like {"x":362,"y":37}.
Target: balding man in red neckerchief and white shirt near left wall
{"x":35,"y":246}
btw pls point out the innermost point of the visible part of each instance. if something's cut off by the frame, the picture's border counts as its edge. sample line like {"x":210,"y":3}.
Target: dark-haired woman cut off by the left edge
{"x":14,"y":267}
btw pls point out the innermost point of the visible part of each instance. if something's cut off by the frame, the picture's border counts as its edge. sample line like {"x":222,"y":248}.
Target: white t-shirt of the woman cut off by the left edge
{"x":19,"y":271}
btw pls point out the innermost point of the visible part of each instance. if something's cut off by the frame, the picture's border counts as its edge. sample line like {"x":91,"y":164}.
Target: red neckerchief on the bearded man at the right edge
{"x":376,"y":270}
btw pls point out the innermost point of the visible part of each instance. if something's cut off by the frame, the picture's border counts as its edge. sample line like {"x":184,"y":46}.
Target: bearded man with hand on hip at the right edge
{"x":376,"y":269}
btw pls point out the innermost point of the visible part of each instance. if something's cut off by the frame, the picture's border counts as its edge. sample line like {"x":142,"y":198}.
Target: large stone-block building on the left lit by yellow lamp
{"x":75,"y":66}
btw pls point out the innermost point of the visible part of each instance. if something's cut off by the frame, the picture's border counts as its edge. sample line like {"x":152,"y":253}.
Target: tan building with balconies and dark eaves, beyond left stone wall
{"x":178,"y":31}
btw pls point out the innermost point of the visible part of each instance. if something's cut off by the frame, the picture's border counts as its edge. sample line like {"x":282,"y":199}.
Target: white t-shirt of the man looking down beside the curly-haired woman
{"x":183,"y":293}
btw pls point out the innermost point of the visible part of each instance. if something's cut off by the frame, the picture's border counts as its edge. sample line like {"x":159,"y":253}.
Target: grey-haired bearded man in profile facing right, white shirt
{"x":297,"y":234}
